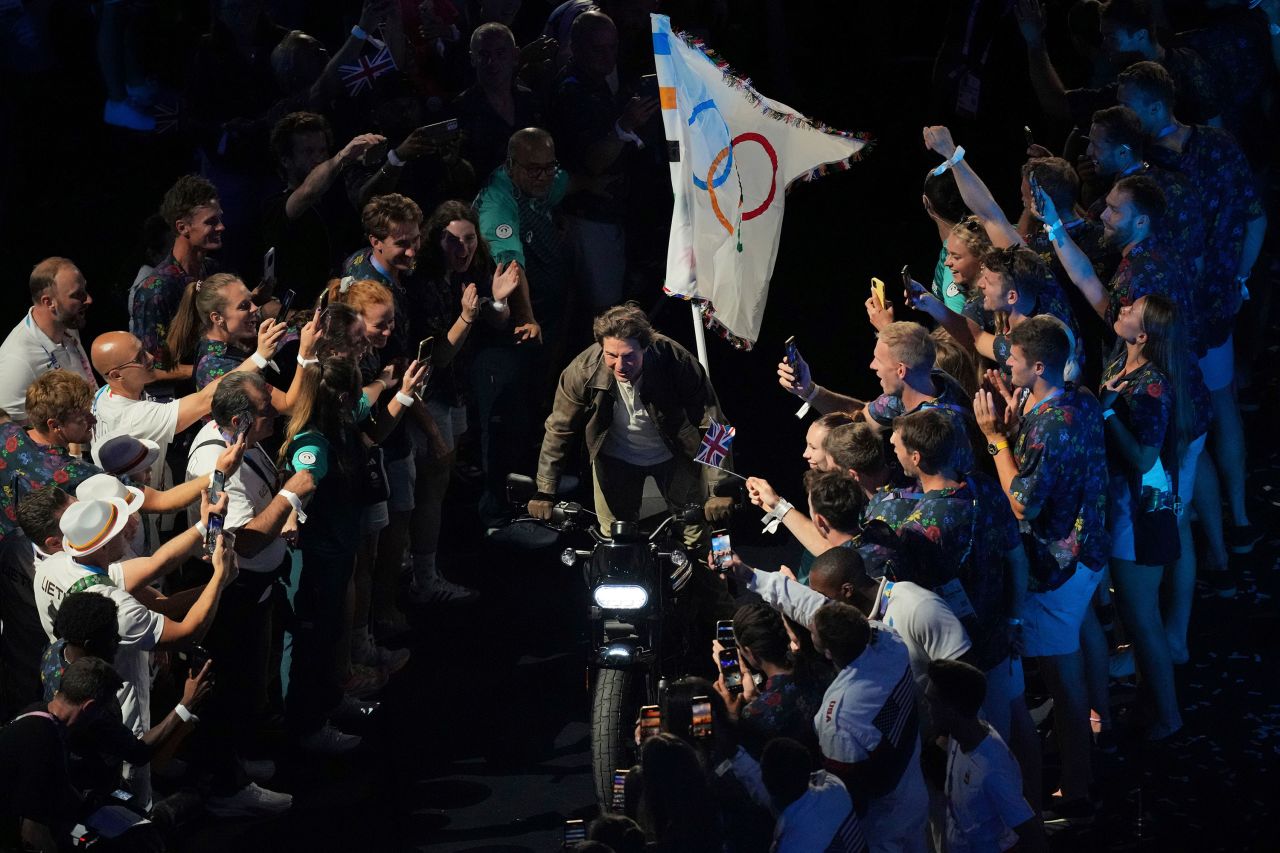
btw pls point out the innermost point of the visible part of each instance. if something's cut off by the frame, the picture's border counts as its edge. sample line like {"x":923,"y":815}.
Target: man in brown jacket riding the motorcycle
{"x":642,"y":402}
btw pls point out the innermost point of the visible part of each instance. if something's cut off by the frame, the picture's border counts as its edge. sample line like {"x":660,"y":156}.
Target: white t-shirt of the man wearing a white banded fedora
{"x":140,"y":630}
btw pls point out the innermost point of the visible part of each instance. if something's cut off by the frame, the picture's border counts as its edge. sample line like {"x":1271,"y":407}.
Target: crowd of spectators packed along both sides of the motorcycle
{"x":367,"y":293}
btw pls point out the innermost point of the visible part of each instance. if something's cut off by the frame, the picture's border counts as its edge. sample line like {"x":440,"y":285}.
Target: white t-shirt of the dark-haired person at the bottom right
{"x":985,"y":797}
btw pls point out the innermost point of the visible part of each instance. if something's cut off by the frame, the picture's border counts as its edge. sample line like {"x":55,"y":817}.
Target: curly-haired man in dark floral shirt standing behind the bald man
{"x":193,"y":211}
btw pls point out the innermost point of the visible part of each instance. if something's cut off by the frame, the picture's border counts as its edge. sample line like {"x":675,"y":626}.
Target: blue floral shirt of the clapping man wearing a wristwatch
{"x":1063,"y":482}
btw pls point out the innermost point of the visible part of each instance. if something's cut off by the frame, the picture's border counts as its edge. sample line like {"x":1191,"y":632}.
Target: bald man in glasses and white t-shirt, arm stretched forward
{"x":122,"y":408}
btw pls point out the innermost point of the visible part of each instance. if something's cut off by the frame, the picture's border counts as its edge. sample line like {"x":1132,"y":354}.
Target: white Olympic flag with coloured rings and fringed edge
{"x":733,"y":156}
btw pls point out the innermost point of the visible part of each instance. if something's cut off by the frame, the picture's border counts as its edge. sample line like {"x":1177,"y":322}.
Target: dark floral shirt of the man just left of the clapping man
{"x":968,"y":532}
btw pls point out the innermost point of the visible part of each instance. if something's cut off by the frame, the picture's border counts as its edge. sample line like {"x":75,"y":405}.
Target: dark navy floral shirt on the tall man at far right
{"x":1213,"y":162}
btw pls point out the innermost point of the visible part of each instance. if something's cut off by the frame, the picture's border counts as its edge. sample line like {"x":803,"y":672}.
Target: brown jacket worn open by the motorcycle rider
{"x":676,"y":391}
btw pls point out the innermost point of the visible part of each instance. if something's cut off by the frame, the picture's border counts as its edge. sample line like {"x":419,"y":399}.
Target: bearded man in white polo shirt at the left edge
{"x":48,"y":339}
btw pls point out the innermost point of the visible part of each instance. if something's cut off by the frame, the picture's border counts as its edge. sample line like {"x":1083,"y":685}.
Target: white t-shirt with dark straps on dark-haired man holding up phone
{"x":248,"y":492}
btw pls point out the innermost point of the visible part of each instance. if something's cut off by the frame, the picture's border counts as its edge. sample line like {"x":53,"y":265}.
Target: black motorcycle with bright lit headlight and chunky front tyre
{"x":638,"y":628}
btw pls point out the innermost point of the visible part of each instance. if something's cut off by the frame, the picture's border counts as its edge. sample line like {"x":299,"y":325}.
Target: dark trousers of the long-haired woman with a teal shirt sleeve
{"x":318,"y":628}
